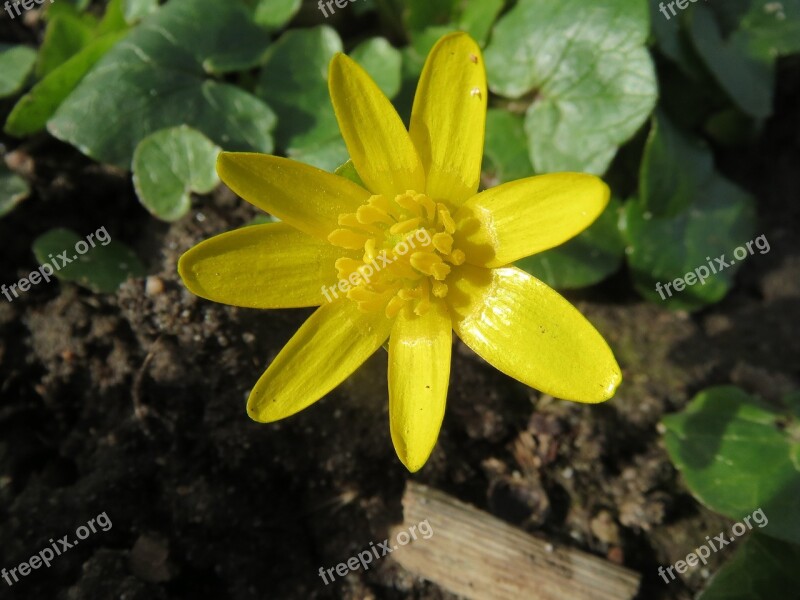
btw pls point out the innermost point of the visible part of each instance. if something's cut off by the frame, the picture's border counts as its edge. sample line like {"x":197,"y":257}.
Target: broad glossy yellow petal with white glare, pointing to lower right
{"x":527,"y":331}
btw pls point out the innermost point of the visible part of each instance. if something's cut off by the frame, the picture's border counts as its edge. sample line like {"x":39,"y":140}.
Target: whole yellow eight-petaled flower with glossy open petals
{"x":412,"y":255}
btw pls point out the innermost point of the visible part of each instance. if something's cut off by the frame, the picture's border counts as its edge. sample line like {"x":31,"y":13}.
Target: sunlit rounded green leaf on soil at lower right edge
{"x":738,"y":454}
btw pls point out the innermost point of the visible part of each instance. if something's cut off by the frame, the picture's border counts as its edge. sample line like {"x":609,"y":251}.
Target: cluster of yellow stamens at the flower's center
{"x":407,"y":242}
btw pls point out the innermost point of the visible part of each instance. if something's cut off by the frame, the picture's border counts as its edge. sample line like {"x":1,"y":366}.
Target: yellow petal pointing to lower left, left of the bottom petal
{"x":330,"y":345}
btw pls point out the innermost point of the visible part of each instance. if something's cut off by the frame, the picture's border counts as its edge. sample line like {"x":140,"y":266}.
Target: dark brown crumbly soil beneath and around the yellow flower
{"x":133,"y":404}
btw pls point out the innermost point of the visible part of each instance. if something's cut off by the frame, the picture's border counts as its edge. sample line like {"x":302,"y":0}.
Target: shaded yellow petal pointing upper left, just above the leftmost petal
{"x":305,"y":197}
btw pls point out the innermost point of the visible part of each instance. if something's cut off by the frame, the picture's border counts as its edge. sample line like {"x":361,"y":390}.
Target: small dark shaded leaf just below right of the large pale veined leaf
{"x":674,"y":167}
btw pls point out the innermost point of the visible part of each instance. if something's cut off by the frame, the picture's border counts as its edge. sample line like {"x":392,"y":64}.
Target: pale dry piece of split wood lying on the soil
{"x":475,"y":555}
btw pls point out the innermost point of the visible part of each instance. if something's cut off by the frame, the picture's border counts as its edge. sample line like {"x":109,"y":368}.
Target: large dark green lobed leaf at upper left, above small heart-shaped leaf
{"x":156,"y":79}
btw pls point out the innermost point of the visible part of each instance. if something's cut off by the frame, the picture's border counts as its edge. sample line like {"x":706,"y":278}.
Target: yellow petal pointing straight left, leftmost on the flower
{"x":263,"y":266}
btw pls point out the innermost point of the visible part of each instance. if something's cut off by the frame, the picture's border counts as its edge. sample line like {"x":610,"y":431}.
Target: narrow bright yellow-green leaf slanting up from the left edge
{"x":33,"y":110}
